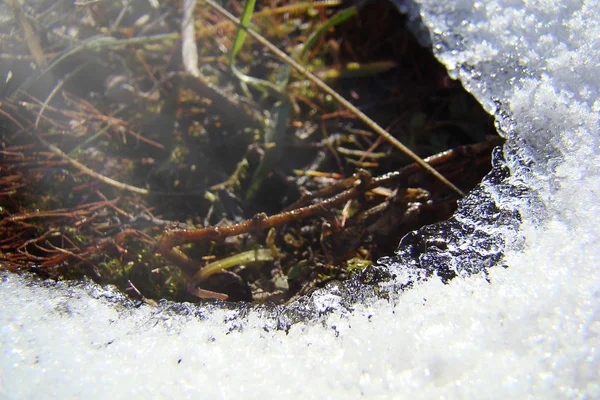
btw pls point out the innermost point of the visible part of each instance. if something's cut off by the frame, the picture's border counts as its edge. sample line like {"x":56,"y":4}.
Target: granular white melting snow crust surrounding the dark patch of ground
{"x":531,"y":329}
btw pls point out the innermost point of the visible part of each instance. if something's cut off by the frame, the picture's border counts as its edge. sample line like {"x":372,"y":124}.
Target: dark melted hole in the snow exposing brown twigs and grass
{"x":215,"y":152}
